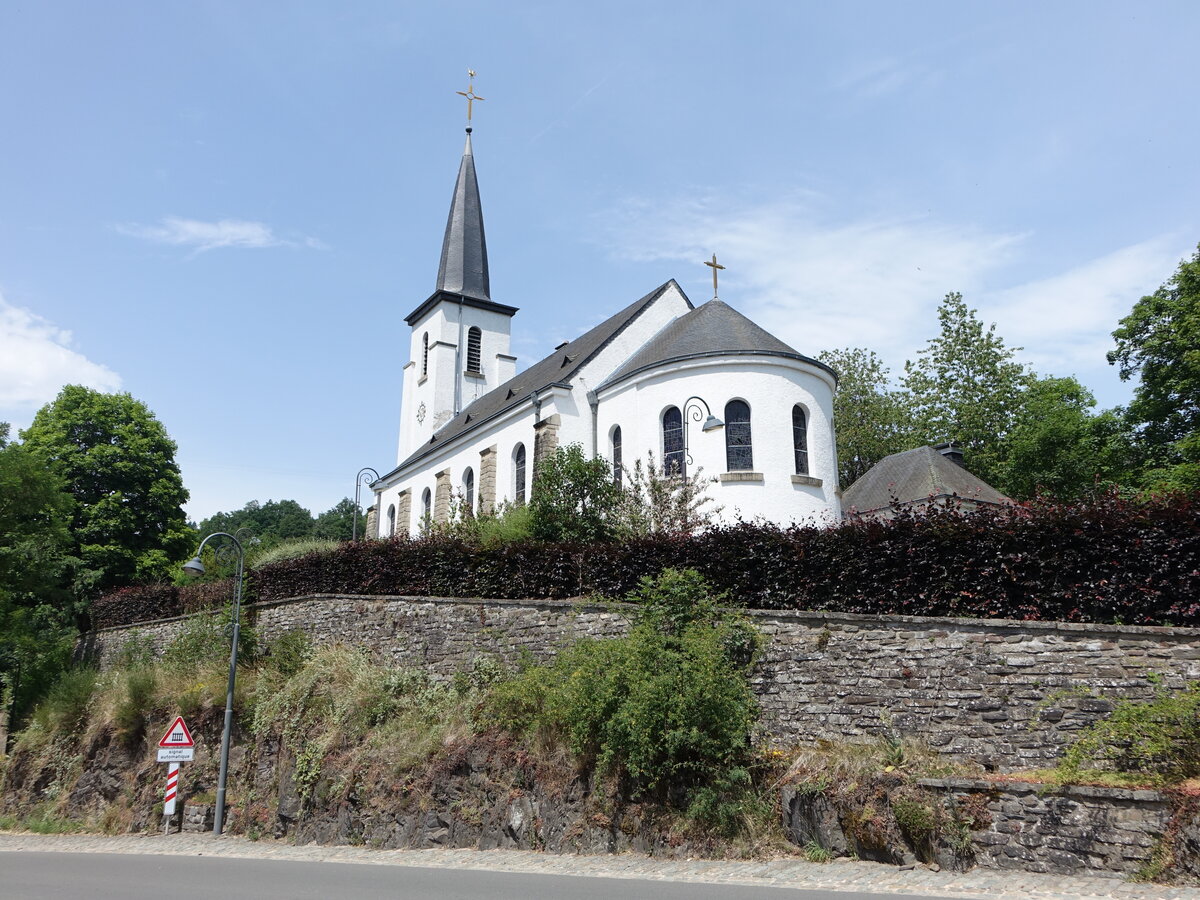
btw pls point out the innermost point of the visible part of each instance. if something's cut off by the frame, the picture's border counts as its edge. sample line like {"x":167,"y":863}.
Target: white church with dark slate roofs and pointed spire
{"x":695,"y":386}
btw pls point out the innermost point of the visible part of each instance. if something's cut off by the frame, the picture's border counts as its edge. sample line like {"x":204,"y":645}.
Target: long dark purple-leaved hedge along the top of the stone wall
{"x":1109,"y":560}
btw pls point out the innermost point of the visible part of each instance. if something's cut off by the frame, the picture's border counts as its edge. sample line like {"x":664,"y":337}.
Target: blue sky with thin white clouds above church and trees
{"x":227,"y":209}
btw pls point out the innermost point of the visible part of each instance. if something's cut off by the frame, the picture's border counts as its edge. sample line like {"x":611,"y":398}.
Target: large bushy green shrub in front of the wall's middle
{"x":667,"y":707}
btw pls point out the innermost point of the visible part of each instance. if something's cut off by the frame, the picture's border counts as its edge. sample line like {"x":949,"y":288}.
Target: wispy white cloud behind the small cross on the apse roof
{"x":872,"y":283}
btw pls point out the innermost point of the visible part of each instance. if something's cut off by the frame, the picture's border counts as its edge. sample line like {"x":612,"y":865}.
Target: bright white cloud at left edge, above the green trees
{"x":37,"y":361}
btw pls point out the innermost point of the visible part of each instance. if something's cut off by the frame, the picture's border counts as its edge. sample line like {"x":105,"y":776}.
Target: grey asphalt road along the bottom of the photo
{"x":97,"y":877}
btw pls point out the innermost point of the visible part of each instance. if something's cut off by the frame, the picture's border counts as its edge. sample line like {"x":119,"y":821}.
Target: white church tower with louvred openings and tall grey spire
{"x":460,"y":337}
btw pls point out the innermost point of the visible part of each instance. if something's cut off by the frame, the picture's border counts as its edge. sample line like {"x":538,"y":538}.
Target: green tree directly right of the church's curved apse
{"x":872,"y":419}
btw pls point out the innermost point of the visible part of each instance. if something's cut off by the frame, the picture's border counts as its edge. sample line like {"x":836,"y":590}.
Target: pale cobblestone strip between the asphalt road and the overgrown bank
{"x":784,"y":873}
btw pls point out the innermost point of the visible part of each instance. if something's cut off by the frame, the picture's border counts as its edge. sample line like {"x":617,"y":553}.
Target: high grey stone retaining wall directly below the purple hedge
{"x":1005,"y":694}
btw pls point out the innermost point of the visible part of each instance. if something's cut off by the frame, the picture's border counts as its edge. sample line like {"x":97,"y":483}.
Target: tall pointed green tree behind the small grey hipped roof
{"x":967,"y":387}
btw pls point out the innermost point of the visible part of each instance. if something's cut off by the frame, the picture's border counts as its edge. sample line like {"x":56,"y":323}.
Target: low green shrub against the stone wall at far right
{"x":1160,"y":737}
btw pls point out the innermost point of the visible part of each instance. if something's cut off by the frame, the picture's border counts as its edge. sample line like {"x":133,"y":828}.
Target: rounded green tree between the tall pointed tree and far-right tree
{"x":1058,"y":446}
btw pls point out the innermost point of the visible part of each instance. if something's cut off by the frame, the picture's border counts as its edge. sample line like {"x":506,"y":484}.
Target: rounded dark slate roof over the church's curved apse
{"x":715,"y":329}
